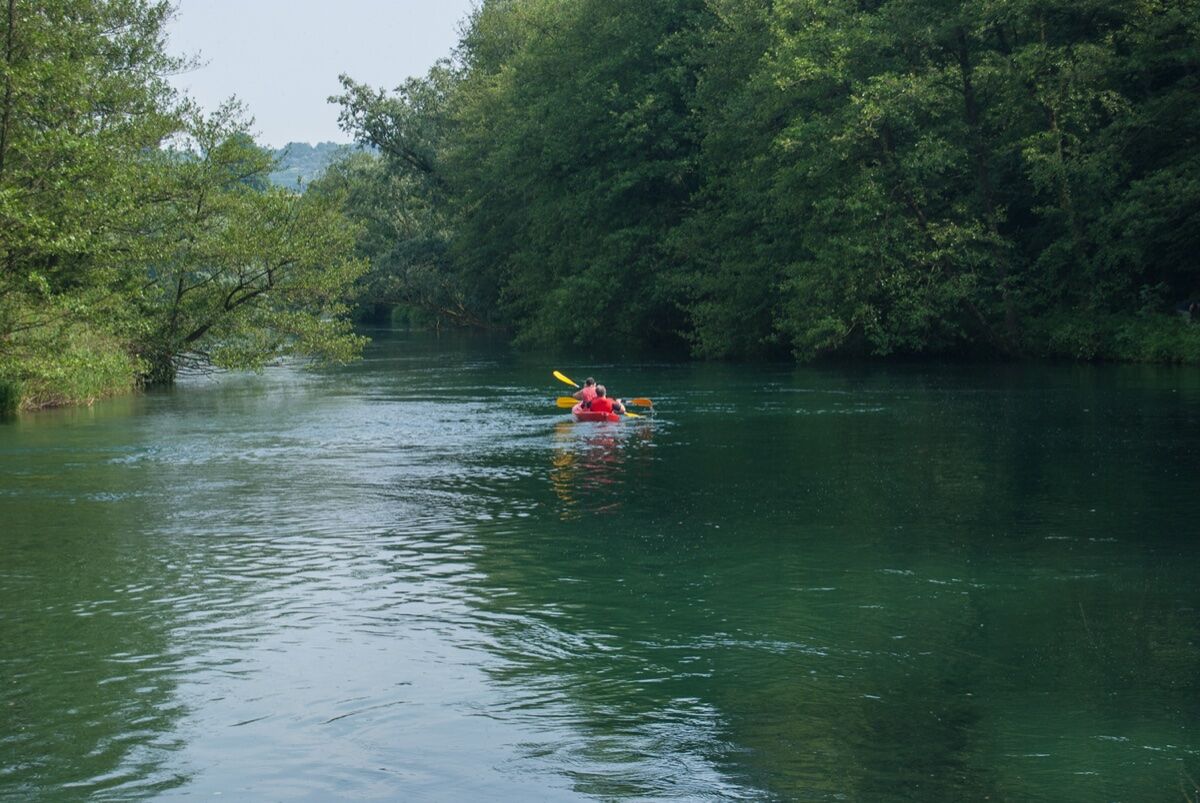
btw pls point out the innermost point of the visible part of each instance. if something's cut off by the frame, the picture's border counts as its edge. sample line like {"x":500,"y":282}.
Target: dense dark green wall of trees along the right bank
{"x":807,"y":177}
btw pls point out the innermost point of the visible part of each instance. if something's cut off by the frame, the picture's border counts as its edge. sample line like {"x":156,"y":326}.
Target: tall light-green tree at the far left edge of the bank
{"x":83,"y":103}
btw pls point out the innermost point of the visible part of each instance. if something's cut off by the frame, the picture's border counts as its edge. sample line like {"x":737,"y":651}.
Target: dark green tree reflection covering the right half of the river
{"x":911,"y":604}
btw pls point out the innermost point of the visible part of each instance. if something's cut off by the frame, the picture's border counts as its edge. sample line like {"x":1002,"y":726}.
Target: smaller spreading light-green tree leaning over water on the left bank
{"x":245,"y":272}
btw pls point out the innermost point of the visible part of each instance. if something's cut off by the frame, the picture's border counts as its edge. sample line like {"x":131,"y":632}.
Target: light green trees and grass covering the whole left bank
{"x":137,"y":235}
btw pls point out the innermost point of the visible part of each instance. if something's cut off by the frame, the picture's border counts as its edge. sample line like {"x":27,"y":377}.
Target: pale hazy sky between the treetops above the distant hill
{"x":281,"y":58}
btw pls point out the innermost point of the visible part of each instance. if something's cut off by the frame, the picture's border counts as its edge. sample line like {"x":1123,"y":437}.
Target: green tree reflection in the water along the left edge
{"x":88,"y":657}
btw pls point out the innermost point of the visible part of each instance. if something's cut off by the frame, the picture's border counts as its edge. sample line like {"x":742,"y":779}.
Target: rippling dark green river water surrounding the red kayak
{"x":415,"y":579}
